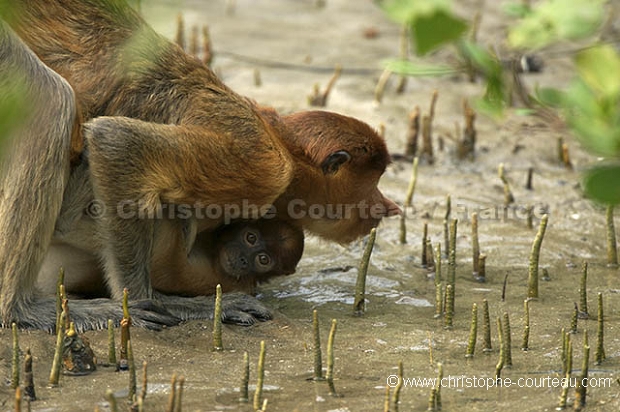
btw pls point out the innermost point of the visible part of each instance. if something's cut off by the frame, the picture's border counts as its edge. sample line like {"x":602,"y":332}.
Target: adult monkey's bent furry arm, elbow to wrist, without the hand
{"x":136,"y":166}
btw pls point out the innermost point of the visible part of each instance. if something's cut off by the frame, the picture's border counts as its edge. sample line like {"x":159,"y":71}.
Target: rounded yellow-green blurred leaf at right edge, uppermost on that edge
{"x":600,"y":68}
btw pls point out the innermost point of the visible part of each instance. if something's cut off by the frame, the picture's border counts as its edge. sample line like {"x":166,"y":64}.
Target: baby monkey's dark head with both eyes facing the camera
{"x":259,"y":249}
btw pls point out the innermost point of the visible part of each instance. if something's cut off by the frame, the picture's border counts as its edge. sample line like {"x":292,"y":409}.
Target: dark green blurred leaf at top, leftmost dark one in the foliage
{"x":435,"y":29}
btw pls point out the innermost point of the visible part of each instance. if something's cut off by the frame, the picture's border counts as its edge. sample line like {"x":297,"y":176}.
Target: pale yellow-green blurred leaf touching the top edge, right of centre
{"x":554,"y":20}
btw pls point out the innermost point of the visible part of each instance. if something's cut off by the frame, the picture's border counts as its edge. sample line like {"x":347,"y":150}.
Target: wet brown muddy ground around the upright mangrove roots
{"x":307,"y":42}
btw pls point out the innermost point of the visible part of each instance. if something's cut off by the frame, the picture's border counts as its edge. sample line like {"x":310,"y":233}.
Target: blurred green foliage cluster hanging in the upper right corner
{"x":590,"y":103}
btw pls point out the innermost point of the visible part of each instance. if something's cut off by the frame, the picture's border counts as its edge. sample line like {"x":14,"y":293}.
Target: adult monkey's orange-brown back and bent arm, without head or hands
{"x":170,"y":141}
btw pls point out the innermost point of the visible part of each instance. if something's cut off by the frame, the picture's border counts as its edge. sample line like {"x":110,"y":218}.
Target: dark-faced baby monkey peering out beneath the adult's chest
{"x":237,"y":256}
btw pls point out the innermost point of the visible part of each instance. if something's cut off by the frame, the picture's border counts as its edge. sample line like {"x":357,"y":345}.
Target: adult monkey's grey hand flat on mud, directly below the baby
{"x":237,"y":308}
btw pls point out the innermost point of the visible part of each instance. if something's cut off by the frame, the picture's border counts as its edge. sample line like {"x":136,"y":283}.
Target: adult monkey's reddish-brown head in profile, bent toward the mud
{"x":340,"y":160}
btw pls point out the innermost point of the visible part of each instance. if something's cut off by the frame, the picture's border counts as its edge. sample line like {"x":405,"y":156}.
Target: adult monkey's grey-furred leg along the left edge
{"x":41,"y":112}
